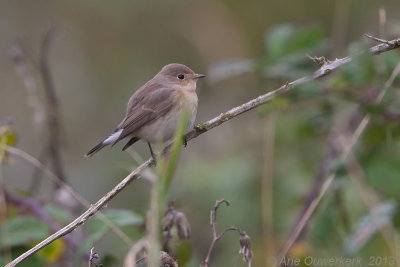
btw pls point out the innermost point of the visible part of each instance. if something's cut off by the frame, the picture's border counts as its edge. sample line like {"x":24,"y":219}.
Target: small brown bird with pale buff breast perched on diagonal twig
{"x":153,"y":111}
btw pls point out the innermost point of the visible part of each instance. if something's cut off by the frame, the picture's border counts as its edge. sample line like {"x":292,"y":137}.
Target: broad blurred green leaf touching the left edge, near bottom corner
{"x":22,"y":230}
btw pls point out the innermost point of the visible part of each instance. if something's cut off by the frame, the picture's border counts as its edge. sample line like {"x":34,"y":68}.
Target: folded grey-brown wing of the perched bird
{"x":145,"y":107}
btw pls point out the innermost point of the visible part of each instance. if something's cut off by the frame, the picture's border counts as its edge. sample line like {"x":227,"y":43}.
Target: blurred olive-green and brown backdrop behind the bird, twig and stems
{"x":264,"y":162}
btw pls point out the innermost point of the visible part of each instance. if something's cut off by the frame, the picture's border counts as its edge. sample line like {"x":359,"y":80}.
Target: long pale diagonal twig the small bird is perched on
{"x":326,"y":69}
